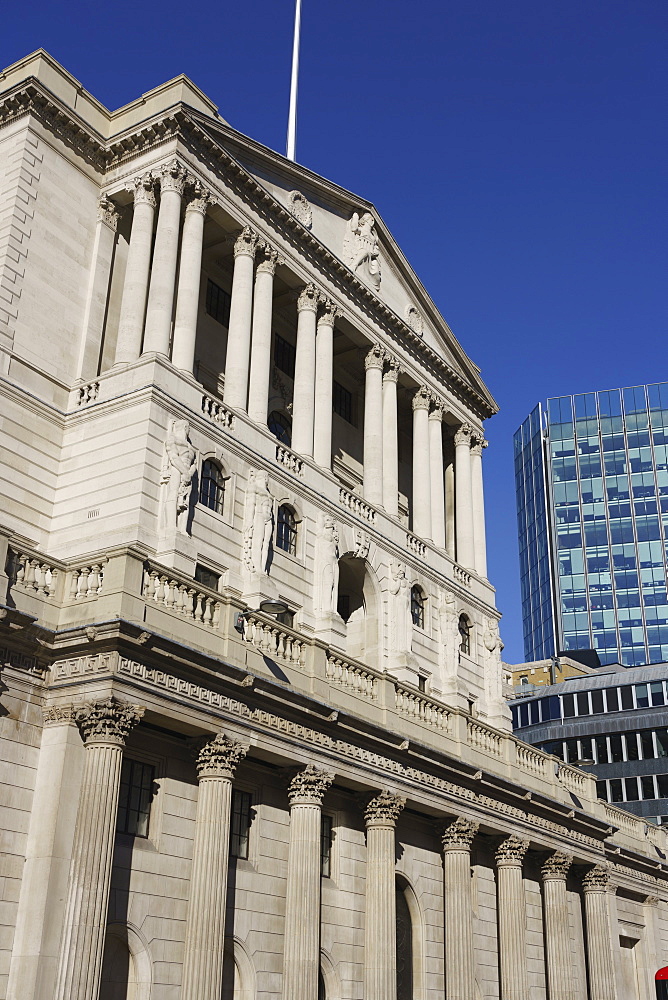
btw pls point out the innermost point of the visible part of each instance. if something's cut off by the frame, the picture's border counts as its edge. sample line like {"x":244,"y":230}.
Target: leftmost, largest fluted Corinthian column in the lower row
{"x":104,"y":726}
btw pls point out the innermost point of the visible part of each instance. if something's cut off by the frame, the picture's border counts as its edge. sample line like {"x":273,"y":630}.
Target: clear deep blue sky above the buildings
{"x":516,"y":150}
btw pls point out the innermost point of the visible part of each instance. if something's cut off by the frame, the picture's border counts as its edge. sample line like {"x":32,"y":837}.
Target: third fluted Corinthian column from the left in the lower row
{"x":301,"y":962}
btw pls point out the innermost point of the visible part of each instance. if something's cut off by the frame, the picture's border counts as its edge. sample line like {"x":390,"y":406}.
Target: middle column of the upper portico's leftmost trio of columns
{"x":165,"y":253}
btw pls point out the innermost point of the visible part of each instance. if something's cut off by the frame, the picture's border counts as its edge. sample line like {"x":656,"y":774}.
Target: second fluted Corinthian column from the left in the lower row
{"x":205,"y":927}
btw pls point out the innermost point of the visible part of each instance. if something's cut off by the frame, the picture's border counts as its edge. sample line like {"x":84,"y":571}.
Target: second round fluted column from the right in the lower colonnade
{"x":557,"y":944}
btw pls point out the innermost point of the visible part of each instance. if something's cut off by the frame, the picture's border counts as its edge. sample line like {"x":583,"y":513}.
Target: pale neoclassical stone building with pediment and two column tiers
{"x":254,"y":743}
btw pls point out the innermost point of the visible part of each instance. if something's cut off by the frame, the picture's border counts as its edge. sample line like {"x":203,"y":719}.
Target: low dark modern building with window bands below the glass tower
{"x":614,"y":718}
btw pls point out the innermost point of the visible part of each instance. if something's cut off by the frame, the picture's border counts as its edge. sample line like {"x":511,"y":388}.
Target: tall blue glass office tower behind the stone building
{"x":591,"y":475}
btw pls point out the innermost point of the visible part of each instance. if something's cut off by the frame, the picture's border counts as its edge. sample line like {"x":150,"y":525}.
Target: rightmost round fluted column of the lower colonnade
{"x":600,"y":958}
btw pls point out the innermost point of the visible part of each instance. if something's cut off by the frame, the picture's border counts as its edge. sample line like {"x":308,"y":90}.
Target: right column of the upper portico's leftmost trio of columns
{"x":190,"y":271}
